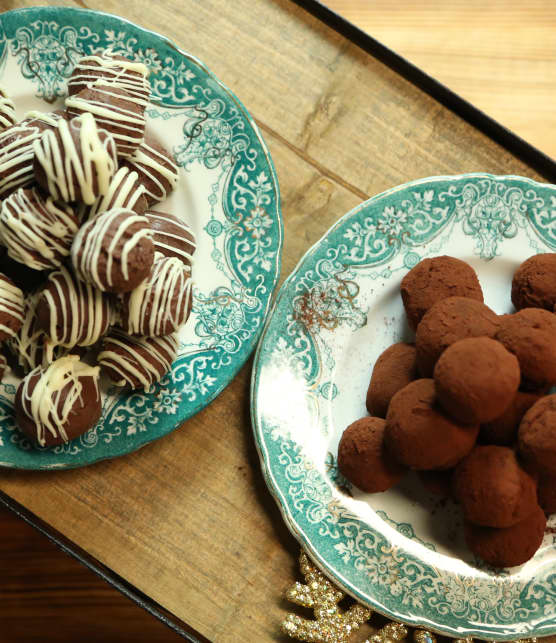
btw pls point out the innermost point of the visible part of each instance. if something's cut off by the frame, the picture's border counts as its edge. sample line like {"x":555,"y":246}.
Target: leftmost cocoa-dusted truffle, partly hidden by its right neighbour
{"x":362,"y":458}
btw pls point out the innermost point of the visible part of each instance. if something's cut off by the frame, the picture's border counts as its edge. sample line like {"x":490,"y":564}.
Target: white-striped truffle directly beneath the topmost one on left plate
{"x":115,"y":110}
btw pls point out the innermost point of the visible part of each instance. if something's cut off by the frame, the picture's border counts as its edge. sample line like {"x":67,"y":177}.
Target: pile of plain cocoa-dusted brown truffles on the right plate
{"x":467,"y":405}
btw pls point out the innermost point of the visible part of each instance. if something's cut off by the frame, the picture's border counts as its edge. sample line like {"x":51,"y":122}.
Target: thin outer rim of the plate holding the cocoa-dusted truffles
{"x":299,"y":535}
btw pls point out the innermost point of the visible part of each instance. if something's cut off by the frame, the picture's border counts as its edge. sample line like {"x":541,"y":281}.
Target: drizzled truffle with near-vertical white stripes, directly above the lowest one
{"x":71,"y":312}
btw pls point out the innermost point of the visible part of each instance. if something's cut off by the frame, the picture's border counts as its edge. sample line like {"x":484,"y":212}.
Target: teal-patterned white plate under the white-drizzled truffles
{"x":228,"y":191}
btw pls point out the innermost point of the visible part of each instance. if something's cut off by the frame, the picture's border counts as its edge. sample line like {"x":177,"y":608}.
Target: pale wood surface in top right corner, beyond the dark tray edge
{"x":499,"y":55}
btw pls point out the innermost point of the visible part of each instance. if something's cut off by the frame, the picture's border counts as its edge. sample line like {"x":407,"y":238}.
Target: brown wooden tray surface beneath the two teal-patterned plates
{"x":187,"y":522}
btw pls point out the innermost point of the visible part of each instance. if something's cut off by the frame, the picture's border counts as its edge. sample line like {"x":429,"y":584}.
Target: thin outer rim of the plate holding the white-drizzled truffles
{"x":249,"y":346}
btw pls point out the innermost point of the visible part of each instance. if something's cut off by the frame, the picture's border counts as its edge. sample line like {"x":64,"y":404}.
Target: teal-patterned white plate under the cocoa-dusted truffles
{"x":400,"y":552}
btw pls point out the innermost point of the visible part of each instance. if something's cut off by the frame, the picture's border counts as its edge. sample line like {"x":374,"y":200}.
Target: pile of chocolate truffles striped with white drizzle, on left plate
{"x":92,"y":280}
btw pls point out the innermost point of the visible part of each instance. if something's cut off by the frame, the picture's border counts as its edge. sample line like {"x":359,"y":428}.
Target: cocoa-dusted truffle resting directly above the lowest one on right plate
{"x":492,"y":488}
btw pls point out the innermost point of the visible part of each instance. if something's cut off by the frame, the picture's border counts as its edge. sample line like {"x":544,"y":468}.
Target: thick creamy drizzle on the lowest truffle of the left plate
{"x":50,"y":395}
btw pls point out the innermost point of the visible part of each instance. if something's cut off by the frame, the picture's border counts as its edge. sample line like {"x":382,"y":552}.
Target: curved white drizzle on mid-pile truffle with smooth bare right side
{"x":108,"y":234}
